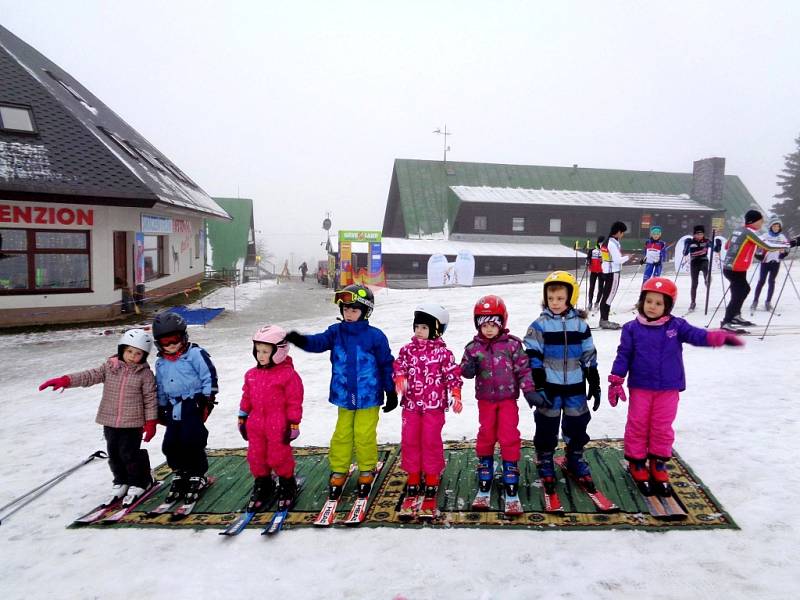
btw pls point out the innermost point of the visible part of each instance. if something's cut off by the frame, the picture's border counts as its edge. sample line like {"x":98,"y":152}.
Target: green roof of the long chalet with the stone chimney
{"x":422,"y":186}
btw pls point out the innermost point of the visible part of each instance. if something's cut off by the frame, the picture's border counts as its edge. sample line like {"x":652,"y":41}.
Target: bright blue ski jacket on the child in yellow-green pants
{"x":361,"y":363}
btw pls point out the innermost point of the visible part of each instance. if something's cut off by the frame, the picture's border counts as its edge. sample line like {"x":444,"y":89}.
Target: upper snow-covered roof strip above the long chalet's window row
{"x":500,"y":195}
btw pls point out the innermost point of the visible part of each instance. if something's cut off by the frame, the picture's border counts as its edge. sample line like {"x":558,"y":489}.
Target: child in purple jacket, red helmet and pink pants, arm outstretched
{"x":651,"y":354}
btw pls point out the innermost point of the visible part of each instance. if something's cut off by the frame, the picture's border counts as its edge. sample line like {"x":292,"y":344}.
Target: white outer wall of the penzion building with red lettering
{"x":182,"y":263}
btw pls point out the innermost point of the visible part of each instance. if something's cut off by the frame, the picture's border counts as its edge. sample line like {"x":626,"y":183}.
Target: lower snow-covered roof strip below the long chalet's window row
{"x":452,"y":247}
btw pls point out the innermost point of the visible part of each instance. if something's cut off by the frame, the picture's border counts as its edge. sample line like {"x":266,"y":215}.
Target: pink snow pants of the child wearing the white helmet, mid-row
{"x":422,"y":449}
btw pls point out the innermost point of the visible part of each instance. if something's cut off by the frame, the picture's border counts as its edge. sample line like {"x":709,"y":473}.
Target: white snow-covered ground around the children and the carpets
{"x":737,"y":427}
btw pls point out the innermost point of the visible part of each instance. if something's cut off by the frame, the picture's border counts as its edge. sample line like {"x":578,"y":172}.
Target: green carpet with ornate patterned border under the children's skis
{"x":226,"y":497}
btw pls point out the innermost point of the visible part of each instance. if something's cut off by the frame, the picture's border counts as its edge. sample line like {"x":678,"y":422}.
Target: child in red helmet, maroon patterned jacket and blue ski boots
{"x":497,"y":361}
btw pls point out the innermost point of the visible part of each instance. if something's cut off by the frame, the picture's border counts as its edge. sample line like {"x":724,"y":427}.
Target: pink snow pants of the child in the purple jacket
{"x":648,"y":430}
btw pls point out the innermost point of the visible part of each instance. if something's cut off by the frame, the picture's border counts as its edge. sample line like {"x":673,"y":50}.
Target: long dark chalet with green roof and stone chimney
{"x":520,"y":218}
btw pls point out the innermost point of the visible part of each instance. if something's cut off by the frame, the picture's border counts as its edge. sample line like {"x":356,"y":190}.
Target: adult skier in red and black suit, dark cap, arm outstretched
{"x":741,"y":248}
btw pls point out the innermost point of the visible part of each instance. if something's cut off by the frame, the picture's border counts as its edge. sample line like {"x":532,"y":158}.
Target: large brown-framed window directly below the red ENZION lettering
{"x":44,"y":260}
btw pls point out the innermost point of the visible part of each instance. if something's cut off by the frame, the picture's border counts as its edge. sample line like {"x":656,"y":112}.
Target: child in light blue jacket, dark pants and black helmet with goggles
{"x":187,"y":387}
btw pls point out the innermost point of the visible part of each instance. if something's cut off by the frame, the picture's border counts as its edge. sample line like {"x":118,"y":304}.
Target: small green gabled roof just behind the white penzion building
{"x":229,"y":239}
